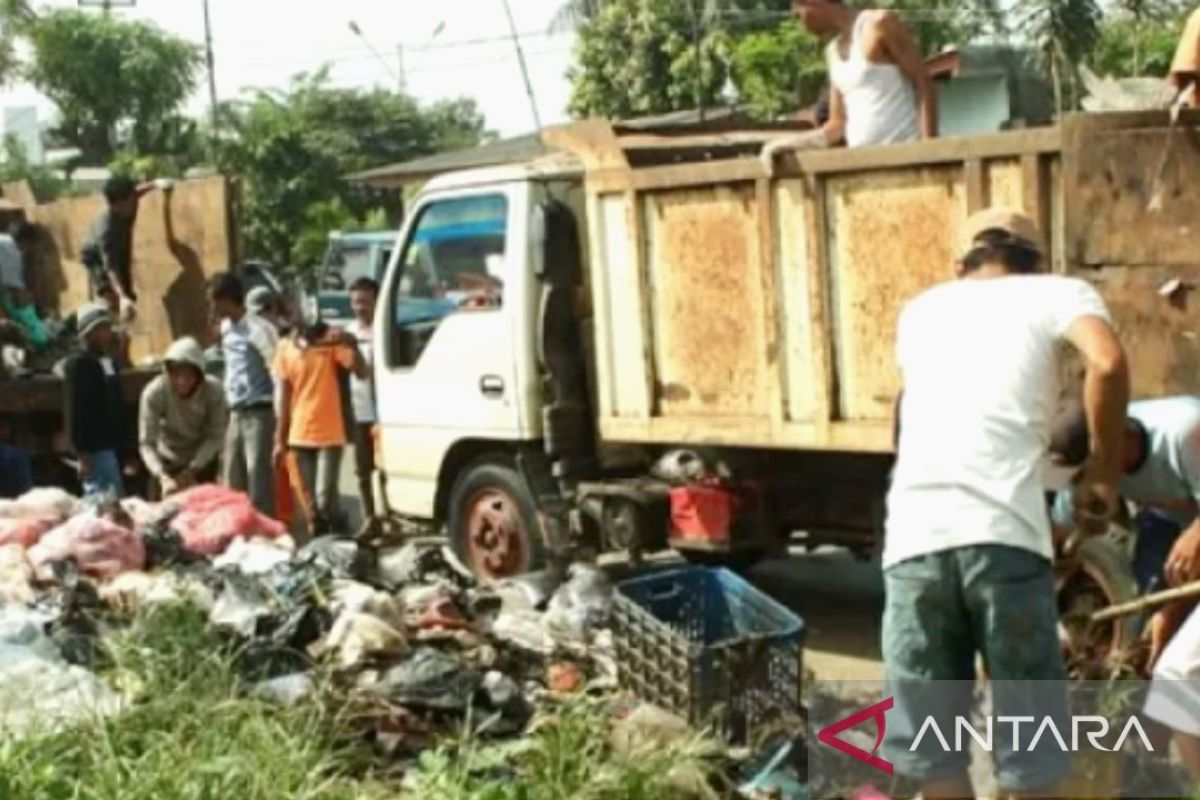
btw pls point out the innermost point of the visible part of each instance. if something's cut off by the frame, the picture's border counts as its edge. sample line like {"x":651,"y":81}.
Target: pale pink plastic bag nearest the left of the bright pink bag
{"x":101,"y":548}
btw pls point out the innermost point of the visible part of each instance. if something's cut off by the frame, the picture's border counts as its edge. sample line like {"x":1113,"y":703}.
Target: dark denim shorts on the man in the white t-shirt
{"x":943,"y":611}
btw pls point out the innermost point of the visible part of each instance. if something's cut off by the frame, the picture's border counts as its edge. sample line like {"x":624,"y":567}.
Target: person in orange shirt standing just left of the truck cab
{"x":311,"y":425}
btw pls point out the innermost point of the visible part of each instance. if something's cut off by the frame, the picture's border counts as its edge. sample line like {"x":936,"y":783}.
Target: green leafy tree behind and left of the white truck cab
{"x":295,"y":148}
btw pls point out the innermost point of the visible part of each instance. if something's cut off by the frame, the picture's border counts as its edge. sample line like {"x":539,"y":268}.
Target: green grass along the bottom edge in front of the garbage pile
{"x":191,"y":733}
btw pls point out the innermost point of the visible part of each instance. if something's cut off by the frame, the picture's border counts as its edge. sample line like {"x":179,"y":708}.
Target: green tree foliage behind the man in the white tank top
{"x":640,"y":57}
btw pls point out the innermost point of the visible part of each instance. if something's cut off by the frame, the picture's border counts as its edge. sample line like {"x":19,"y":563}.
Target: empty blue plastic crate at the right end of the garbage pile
{"x":710,"y":647}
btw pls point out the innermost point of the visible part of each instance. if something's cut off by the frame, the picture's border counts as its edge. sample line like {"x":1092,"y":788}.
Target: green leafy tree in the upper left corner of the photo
{"x":117,"y":83}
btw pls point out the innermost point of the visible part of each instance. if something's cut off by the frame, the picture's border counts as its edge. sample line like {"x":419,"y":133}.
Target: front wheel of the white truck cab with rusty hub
{"x":494,"y":521}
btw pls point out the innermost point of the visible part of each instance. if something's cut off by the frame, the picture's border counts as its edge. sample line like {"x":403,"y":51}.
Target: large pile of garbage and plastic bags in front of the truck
{"x":421,"y":647}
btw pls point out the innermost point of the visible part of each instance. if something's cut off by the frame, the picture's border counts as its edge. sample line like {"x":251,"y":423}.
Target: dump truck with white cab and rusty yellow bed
{"x":567,"y":347}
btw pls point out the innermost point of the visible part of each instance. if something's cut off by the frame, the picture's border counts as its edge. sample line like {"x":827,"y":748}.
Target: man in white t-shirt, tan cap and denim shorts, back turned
{"x":968,"y":557}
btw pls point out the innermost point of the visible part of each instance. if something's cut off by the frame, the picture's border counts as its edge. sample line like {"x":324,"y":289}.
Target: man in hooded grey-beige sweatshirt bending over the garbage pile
{"x":183,"y":422}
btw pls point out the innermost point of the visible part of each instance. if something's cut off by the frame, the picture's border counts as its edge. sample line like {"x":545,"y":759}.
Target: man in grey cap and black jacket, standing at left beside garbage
{"x":94,"y":410}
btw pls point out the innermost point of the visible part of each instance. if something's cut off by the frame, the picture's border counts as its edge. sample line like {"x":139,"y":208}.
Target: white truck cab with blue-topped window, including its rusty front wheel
{"x":458,"y":369}
